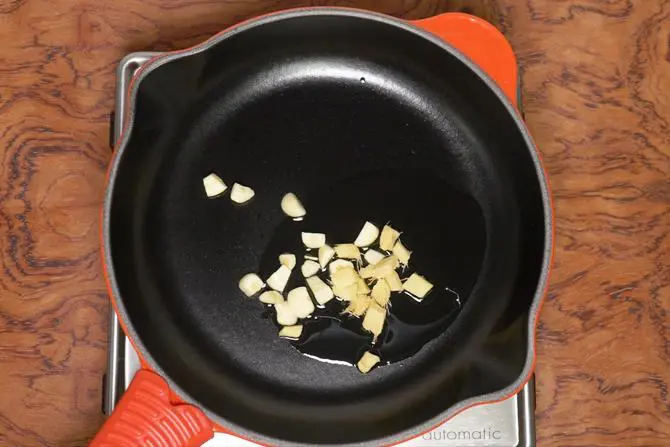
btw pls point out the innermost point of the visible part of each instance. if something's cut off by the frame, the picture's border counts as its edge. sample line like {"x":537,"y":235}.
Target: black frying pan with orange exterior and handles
{"x":364,"y":117}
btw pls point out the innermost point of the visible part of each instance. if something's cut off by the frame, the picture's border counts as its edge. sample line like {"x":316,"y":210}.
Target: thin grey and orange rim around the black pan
{"x":541,"y":176}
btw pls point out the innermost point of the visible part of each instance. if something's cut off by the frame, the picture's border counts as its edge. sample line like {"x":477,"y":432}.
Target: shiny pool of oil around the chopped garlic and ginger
{"x":445,"y":231}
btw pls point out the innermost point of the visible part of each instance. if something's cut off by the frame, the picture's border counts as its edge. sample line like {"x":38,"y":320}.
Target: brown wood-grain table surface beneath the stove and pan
{"x":596,"y":77}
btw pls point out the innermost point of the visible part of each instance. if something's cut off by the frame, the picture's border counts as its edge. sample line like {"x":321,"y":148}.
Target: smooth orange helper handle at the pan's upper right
{"x":482,"y":43}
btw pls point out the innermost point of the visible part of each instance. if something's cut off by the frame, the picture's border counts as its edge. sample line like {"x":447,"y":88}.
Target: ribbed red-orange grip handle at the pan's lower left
{"x":145,"y":417}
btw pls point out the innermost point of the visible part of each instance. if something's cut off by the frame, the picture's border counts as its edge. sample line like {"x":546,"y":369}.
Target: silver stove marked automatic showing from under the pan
{"x":509,"y":423}
